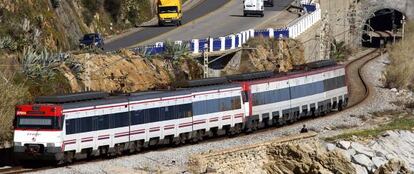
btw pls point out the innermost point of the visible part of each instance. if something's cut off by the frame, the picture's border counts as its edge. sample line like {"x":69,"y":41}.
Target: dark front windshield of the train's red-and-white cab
{"x":38,"y":122}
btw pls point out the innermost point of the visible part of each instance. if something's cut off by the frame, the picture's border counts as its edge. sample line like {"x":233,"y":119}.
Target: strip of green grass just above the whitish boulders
{"x":396,"y":124}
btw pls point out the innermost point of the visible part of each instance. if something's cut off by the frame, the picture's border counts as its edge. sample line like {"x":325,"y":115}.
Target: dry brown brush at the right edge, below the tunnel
{"x":400,"y":72}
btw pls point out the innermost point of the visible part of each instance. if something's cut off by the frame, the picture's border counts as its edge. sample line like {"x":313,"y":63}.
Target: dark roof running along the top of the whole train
{"x":87,"y":99}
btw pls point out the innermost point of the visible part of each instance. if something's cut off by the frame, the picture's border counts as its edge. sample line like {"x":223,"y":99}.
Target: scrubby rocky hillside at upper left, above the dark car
{"x":58,"y":24}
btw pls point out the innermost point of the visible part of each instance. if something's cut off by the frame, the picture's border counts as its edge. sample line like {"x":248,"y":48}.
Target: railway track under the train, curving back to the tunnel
{"x":359,"y":91}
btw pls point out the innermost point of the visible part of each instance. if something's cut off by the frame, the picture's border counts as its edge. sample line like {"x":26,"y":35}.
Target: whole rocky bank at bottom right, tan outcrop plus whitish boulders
{"x":391,"y":153}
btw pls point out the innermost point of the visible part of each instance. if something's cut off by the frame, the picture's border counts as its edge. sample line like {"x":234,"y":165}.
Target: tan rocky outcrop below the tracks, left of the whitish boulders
{"x":301,"y":157}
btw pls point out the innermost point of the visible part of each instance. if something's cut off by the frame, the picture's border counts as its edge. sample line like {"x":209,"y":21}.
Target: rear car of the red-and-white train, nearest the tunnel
{"x":286,"y":98}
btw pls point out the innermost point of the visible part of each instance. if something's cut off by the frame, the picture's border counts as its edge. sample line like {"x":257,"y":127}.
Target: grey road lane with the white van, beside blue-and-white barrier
{"x":222,"y":22}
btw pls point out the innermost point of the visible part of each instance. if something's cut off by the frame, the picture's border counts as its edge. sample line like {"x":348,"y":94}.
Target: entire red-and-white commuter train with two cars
{"x":67,"y":127}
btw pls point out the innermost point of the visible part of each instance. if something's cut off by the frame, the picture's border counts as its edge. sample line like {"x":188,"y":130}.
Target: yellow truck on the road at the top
{"x":169,"y":12}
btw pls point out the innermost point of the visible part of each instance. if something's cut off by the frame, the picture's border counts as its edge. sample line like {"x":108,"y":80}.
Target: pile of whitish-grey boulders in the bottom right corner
{"x":393,"y":153}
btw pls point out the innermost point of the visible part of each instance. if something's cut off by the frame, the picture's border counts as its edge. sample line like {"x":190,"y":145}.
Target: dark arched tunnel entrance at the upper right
{"x":388,"y":22}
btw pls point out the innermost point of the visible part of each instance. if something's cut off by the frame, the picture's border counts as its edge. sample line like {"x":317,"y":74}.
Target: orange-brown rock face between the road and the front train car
{"x":127,"y":72}
